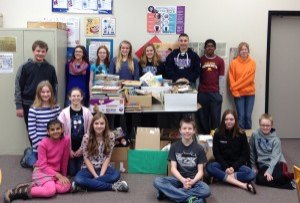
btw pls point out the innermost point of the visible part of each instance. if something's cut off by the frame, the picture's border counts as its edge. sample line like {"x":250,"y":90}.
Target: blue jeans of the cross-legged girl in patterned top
{"x":85,"y":179}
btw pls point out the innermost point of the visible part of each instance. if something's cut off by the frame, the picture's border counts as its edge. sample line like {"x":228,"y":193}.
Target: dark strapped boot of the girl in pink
{"x":16,"y":193}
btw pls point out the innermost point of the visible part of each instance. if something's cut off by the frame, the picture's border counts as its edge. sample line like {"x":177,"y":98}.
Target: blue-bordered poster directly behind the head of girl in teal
{"x":93,"y":44}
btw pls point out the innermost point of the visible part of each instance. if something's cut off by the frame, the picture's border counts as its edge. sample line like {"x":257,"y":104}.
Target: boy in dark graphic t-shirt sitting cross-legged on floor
{"x":187,"y":160}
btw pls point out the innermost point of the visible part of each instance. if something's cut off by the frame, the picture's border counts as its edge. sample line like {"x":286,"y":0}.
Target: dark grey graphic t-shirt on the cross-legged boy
{"x":187,"y":158}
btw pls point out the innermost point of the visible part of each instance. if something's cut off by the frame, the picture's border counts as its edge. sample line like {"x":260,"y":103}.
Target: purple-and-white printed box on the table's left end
{"x":108,"y":105}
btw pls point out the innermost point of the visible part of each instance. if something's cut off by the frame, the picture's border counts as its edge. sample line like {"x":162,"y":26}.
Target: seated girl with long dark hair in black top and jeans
{"x":231,"y":151}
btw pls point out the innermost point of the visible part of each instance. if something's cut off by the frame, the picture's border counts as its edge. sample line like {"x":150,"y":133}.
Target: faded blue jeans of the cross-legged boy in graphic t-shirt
{"x":173,"y":189}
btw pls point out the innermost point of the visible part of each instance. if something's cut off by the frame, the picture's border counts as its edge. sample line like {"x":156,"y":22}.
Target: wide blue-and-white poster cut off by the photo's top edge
{"x":82,"y":6}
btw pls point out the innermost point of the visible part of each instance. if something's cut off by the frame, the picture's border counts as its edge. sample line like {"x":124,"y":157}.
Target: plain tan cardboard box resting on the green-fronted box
{"x":147,"y":138}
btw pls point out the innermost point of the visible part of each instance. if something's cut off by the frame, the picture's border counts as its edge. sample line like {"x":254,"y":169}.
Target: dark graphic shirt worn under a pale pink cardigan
{"x":77,"y":128}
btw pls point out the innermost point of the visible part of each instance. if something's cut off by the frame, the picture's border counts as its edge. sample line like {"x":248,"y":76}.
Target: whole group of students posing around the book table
{"x":81,"y":145}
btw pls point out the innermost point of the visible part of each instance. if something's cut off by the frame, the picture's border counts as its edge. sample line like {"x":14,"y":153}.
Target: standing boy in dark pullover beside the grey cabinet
{"x":29,"y":75}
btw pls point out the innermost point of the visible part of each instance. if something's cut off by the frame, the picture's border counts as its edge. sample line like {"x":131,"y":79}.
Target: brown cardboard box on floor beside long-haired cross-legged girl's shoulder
{"x":119,"y":159}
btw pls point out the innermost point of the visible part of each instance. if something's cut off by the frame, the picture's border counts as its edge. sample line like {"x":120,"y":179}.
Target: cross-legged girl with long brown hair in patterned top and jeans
{"x":96,"y":174}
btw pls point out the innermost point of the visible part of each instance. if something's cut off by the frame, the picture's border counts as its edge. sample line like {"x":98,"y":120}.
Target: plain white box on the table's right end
{"x":180,"y":102}
